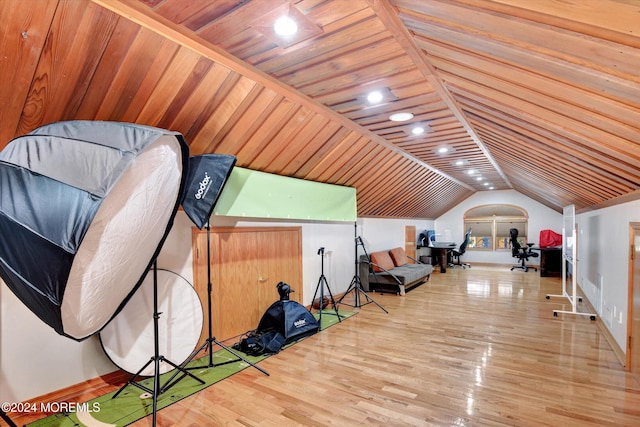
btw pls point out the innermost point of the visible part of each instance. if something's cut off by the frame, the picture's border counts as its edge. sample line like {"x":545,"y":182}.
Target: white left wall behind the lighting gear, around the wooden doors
{"x":35,"y":360}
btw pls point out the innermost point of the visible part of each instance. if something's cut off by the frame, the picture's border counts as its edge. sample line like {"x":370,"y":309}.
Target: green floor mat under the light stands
{"x":129,"y":406}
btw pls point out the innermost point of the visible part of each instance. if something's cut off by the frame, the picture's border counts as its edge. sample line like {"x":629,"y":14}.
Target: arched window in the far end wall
{"x":490,"y":225}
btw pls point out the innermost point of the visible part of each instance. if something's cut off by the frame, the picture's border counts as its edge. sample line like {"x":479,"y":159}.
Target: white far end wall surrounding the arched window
{"x":450,"y":225}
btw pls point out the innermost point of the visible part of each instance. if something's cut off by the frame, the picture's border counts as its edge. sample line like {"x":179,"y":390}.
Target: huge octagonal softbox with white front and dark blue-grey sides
{"x":84,"y":209}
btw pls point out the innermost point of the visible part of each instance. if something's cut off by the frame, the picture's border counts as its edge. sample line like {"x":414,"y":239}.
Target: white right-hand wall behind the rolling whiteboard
{"x":603,"y":263}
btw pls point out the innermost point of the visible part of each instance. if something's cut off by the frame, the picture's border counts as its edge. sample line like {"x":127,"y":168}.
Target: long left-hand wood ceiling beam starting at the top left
{"x":142,"y":15}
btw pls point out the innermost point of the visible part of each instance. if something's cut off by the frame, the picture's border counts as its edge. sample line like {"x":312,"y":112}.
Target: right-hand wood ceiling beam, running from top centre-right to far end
{"x":389,"y":16}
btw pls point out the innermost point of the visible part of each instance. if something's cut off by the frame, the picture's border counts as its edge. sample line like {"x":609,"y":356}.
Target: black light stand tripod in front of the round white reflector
{"x":157,"y":358}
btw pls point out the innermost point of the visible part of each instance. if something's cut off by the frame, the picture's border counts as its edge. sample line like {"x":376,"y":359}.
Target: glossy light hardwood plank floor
{"x":475,"y":347}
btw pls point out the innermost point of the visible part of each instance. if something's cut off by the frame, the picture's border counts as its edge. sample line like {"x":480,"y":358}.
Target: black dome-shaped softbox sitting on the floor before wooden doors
{"x":290,"y":318}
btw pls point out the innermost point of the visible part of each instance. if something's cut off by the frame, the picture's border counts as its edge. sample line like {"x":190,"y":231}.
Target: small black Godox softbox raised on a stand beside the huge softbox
{"x":208,"y":174}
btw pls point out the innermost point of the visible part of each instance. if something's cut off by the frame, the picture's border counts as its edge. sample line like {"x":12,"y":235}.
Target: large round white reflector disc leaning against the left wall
{"x":128,"y":339}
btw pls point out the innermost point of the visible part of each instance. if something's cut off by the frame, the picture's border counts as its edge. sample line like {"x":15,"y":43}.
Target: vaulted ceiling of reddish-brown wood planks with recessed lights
{"x":542,"y":97}
